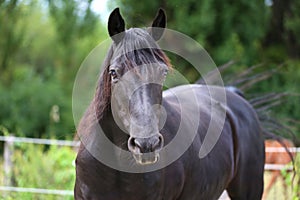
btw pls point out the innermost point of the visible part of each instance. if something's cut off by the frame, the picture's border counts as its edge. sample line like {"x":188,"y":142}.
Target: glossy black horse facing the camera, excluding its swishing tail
{"x":139,"y":142}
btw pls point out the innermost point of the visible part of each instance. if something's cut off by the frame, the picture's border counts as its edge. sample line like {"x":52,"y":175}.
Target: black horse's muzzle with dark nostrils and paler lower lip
{"x":146,"y":150}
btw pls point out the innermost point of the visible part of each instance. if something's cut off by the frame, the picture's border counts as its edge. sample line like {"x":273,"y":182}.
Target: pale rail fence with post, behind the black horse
{"x":10,"y":140}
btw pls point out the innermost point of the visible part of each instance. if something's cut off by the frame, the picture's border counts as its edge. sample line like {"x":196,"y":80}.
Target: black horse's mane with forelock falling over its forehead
{"x":137,"y":48}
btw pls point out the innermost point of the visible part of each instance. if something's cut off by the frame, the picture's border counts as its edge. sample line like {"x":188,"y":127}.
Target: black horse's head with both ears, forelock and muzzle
{"x":137,"y":71}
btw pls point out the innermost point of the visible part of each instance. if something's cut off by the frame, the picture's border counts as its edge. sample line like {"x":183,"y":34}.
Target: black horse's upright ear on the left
{"x":116,"y":25}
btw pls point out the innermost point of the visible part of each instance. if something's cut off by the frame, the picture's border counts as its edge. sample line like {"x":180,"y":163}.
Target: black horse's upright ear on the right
{"x":159,"y":23}
